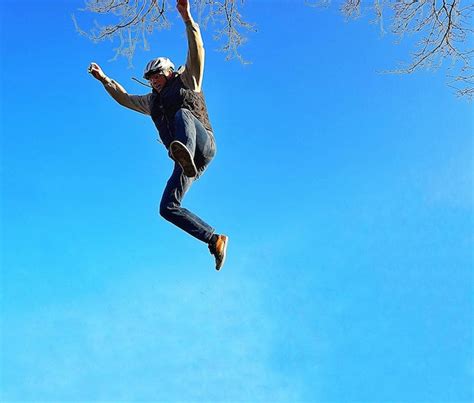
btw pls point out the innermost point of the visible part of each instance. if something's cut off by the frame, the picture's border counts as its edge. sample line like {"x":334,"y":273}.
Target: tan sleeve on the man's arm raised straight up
{"x":193,"y":72}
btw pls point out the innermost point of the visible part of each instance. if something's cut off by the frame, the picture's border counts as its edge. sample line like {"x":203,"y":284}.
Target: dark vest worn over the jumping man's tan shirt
{"x":174,"y":96}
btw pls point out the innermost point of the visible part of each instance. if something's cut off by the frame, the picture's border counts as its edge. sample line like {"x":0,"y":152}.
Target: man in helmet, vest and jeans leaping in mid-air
{"x":178,"y":110}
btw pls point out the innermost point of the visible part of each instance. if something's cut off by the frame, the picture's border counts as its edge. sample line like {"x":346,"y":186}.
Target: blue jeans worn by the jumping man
{"x":201,"y":145}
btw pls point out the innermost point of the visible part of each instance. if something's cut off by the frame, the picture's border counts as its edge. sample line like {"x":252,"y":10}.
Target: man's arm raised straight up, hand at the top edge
{"x":194,"y":69}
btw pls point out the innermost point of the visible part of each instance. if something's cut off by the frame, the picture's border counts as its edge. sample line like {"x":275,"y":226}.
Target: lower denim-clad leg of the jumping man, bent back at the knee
{"x":171,"y":210}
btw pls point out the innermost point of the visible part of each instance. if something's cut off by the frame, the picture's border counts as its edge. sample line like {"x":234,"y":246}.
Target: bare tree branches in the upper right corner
{"x":442,"y":26}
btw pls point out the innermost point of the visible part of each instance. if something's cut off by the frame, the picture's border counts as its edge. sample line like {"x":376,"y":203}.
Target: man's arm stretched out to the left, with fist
{"x":139,"y":103}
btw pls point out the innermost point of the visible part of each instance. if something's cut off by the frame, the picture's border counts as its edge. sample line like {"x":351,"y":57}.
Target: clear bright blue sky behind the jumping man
{"x":347,"y":196}
